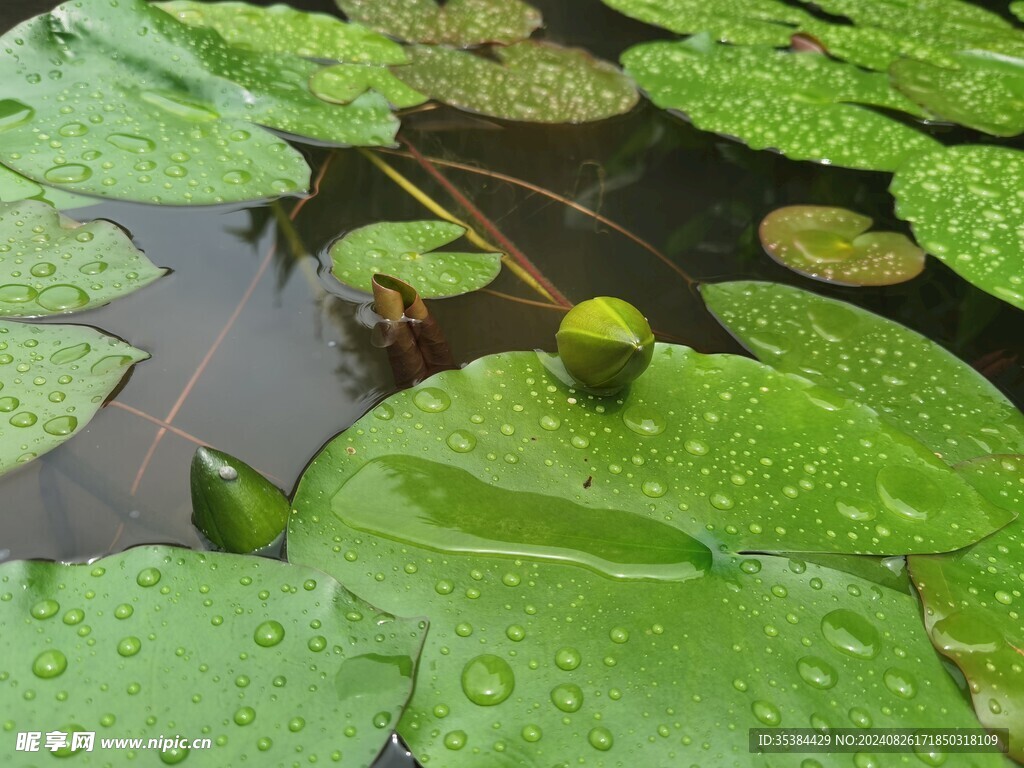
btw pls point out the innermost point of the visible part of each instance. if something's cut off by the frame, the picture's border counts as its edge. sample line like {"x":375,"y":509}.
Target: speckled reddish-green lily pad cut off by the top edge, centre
{"x":460,"y":23}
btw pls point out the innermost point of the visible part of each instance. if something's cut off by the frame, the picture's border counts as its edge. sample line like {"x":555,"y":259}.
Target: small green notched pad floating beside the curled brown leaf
{"x":406,"y":250}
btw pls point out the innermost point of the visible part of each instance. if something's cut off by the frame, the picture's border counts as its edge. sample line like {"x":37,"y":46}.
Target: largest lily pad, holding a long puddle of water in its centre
{"x":608,"y":526}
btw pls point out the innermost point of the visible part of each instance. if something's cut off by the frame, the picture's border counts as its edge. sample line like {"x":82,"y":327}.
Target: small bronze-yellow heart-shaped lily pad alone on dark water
{"x":833,"y":245}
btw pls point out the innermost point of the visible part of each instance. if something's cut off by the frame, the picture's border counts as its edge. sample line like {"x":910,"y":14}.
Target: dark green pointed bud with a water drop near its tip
{"x":234,"y":505}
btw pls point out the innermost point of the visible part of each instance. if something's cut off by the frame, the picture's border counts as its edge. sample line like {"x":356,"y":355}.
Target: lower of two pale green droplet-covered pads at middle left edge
{"x":53,"y":381}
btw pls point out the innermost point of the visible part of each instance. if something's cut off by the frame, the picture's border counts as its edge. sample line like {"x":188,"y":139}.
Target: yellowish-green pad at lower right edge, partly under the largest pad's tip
{"x":973,"y":602}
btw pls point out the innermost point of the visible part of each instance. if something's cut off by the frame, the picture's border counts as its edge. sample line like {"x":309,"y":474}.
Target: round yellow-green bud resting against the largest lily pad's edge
{"x":605,"y":345}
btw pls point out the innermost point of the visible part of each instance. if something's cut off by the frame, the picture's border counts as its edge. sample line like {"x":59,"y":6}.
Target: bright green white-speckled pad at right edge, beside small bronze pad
{"x":964,"y":204}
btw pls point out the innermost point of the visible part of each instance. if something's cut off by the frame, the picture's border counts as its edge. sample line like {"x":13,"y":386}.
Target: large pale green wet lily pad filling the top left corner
{"x":124,"y":102}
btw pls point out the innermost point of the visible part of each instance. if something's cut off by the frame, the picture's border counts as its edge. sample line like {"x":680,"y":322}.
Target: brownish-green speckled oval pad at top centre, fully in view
{"x":533,"y":82}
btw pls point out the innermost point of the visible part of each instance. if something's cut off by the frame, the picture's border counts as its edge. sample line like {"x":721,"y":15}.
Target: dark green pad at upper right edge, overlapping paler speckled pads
{"x":978,"y":91}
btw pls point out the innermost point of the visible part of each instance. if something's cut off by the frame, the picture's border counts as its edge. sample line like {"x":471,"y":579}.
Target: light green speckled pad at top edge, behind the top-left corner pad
{"x":285,"y":30}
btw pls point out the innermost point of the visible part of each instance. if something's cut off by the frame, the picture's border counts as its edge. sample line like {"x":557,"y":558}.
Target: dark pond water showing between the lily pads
{"x":260,"y":355}
